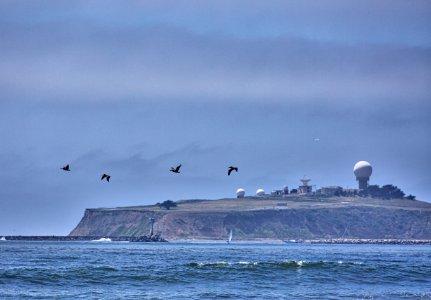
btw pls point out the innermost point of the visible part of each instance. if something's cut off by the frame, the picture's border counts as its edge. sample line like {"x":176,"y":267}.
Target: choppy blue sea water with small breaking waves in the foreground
{"x":90,"y":270}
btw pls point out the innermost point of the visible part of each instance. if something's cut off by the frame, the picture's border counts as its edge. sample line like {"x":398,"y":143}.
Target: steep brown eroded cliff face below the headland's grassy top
{"x":287,"y":223}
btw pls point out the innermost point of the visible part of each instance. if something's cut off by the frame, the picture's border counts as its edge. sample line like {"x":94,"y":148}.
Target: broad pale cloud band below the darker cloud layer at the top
{"x":165,"y":63}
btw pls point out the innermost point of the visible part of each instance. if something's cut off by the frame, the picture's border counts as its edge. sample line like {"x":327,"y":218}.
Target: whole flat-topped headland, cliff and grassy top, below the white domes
{"x":310,"y":218}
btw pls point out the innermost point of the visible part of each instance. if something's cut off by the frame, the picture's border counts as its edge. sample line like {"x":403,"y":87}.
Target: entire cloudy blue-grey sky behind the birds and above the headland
{"x":281,"y":89}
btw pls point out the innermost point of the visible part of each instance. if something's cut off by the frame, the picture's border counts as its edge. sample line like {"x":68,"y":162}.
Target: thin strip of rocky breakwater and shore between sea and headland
{"x":263,"y":241}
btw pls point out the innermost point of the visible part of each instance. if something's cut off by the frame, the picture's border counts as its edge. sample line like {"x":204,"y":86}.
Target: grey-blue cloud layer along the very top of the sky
{"x":377,"y":21}
